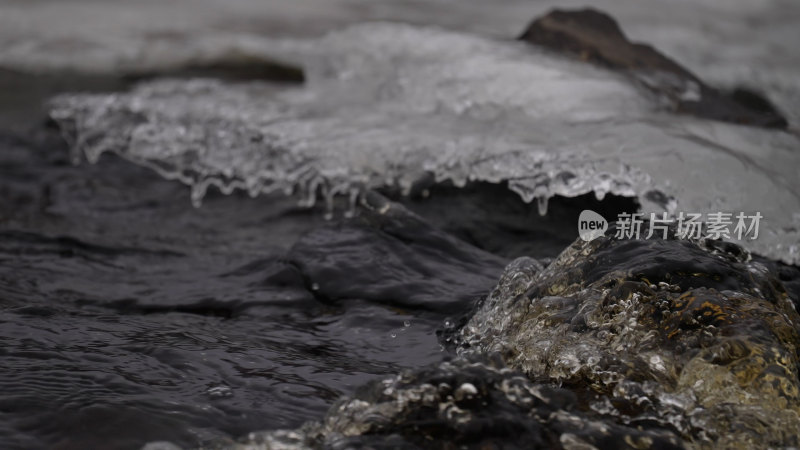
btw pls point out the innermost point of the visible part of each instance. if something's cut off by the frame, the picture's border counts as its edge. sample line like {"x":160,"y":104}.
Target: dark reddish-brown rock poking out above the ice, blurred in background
{"x":596,"y":37}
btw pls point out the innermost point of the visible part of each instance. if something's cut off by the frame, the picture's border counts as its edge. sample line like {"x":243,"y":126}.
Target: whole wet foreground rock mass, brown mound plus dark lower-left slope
{"x":618,"y":343}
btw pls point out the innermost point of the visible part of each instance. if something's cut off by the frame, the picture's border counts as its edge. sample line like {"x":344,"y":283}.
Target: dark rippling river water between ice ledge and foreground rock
{"x":129,"y":316}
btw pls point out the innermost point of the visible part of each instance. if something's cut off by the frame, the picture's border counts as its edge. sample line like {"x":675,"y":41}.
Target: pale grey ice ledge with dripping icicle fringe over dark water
{"x":389,"y":104}
